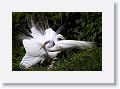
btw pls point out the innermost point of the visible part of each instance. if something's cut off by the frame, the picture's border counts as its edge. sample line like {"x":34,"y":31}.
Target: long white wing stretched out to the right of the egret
{"x":67,"y":44}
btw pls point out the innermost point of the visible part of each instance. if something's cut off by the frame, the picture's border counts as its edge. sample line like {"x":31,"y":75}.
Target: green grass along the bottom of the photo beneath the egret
{"x":70,"y":60}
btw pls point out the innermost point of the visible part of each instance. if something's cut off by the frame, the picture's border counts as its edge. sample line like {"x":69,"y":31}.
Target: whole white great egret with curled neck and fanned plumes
{"x":46,"y":43}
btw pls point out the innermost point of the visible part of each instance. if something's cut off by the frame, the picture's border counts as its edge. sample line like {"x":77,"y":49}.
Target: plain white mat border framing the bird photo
{"x":104,"y":76}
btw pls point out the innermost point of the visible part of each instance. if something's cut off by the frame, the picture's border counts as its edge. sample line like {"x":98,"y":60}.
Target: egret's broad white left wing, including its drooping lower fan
{"x":34,"y":53}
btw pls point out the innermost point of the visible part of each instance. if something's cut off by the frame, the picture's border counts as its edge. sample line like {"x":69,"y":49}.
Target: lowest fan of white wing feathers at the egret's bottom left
{"x":29,"y":60}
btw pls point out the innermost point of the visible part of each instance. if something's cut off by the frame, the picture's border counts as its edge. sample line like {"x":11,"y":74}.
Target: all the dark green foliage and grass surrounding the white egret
{"x":79,"y":26}
